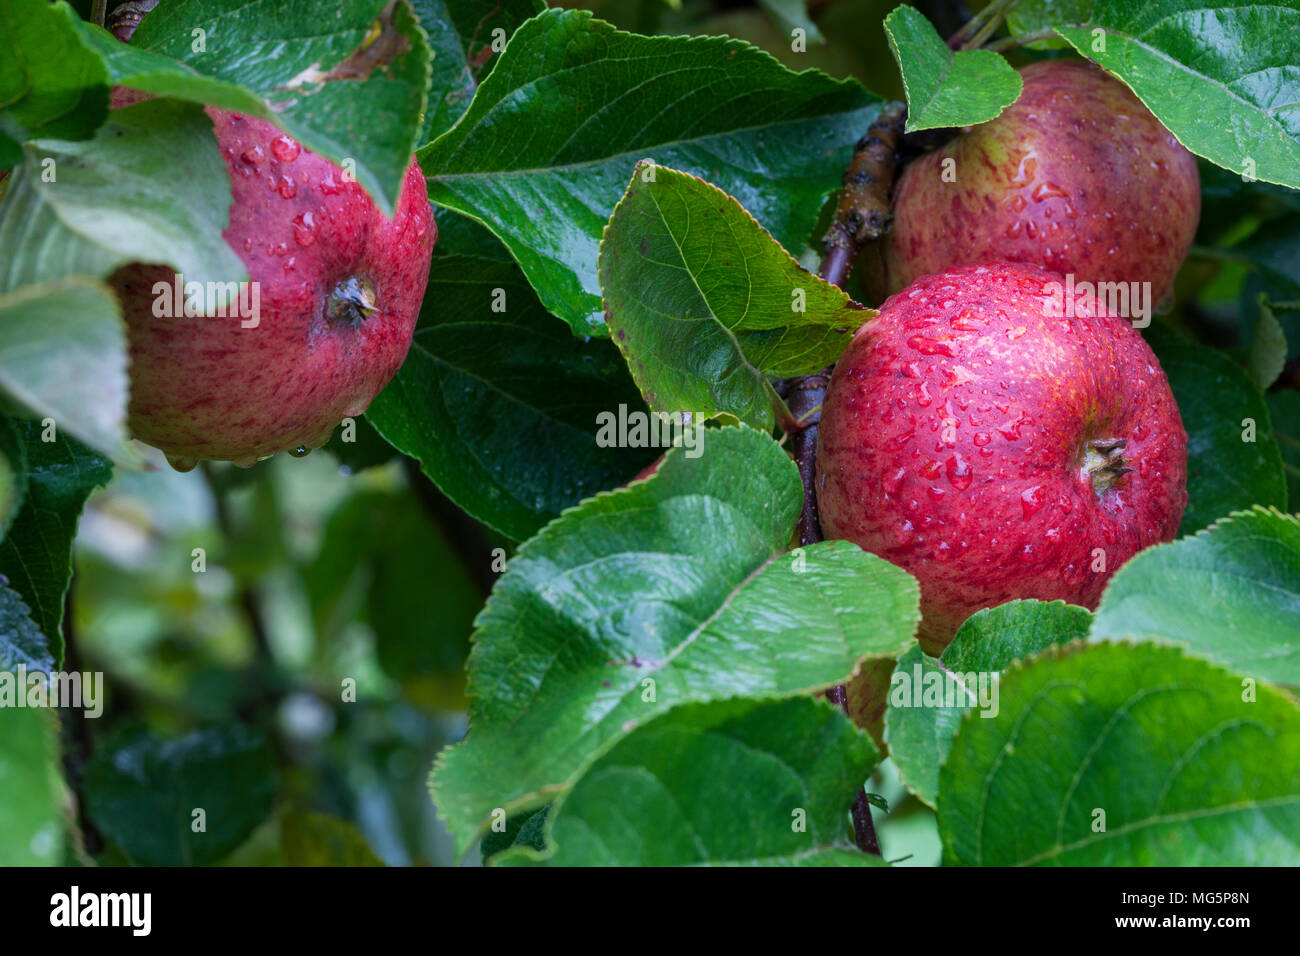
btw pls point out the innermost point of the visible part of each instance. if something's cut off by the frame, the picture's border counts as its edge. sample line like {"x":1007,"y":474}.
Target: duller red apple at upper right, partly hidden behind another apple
{"x":1077,"y":178}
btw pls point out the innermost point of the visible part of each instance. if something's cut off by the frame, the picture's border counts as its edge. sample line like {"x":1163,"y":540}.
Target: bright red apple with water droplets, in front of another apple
{"x":955,"y":444}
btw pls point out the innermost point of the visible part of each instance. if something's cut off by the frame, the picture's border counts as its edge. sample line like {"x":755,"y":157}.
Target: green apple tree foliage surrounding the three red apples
{"x":629,"y":207}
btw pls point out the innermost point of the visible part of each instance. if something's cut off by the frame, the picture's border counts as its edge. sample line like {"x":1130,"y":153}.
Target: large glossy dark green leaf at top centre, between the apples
{"x":595,"y":102}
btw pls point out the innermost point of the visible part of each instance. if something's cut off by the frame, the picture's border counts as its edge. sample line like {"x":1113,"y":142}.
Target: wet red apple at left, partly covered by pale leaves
{"x":207,"y":388}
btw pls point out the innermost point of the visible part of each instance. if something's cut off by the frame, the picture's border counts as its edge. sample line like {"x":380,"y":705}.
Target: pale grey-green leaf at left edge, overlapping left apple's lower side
{"x":63,"y":356}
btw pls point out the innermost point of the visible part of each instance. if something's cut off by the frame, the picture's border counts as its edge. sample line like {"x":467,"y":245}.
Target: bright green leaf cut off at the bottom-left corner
{"x":32,"y":819}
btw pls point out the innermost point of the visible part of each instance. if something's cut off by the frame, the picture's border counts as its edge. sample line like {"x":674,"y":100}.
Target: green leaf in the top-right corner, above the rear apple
{"x":1223,"y":77}
